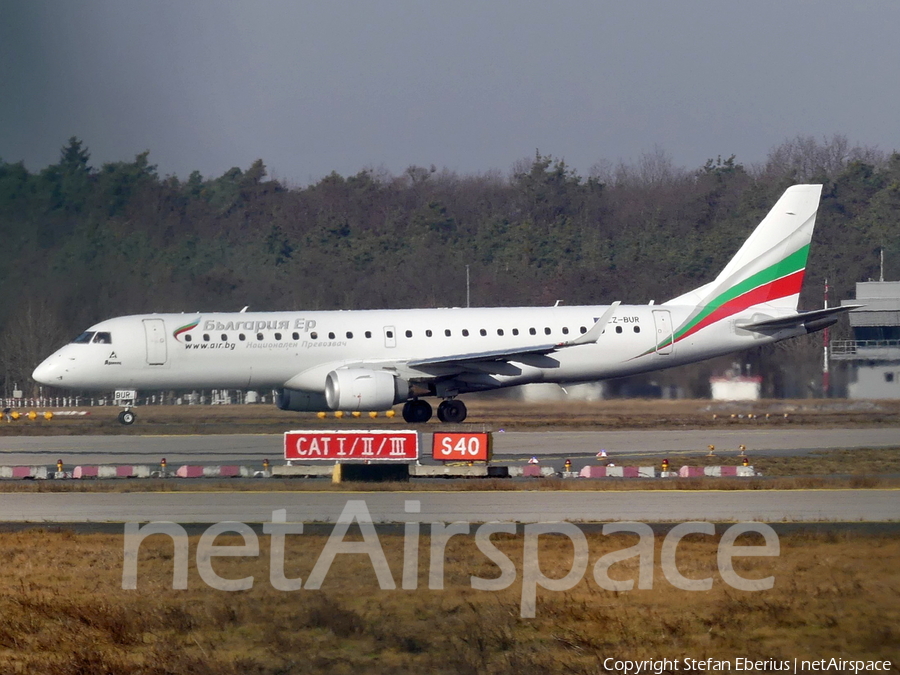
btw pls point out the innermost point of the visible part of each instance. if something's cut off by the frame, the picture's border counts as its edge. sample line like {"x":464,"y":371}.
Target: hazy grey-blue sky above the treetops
{"x":315,"y":87}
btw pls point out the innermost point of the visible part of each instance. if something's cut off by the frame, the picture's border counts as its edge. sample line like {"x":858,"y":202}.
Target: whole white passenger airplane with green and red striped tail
{"x":370,"y":360}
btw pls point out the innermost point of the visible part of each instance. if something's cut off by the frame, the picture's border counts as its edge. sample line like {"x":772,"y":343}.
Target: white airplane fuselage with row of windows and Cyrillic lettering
{"x":297,"y":350}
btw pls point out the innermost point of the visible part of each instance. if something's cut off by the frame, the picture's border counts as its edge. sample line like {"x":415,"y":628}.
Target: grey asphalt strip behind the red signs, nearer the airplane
{"x":554,"y":445}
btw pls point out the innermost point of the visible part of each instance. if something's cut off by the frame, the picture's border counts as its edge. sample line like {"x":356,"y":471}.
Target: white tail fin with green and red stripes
{"x":768,"y":269}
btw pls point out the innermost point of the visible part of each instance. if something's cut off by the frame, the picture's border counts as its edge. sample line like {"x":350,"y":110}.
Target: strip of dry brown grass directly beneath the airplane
{"x":492,"y":413}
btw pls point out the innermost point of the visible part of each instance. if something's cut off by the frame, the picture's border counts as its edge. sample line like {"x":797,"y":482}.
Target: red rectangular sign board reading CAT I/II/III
{"x":397,"y":446}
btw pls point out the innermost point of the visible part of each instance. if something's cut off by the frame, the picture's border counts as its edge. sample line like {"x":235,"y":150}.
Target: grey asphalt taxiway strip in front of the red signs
{"x":519,"y":506}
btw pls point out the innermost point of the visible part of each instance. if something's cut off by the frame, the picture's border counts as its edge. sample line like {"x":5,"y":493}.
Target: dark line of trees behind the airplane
{"x":80,"y":243}
